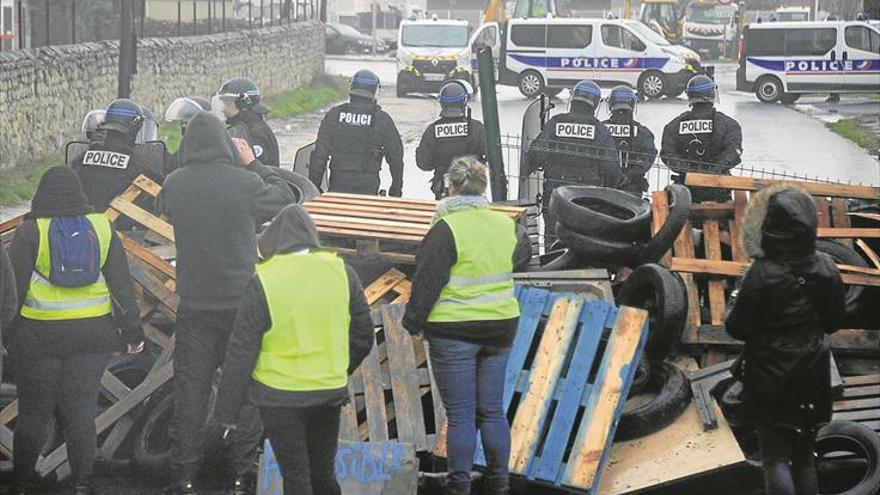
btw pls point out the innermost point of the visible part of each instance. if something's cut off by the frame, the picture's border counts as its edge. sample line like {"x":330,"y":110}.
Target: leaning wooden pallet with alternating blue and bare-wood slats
{"x":569,"y":389}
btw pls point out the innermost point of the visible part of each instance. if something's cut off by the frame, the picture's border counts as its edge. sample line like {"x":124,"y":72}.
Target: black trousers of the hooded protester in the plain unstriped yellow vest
{"x":304,"y":441}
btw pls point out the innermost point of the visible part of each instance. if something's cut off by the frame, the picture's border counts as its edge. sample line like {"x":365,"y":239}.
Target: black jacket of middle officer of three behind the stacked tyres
{"x":636,"y":150}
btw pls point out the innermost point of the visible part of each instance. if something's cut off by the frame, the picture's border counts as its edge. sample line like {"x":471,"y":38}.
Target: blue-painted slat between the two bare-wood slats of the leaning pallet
{"x":592,"y":324}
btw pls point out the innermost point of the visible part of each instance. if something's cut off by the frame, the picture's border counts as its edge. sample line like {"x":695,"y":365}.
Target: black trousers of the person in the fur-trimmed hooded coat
{"x":789,"y":464}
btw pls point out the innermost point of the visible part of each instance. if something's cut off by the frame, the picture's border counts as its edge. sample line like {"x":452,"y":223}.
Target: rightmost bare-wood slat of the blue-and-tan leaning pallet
{"x":605,"y":404}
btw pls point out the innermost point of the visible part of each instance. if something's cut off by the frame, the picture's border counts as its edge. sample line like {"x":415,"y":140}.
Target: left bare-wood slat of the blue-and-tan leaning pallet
{"x":528,"y":422}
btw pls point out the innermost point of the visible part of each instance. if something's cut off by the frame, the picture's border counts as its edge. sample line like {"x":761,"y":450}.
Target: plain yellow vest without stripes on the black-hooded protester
{"x":306,"y":348}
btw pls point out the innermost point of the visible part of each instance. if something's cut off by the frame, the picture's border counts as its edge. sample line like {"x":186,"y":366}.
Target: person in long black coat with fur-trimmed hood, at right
{"x":791,"y":297}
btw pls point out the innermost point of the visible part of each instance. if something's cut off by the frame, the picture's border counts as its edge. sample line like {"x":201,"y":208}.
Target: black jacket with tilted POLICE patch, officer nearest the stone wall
{"x":108,"y":167}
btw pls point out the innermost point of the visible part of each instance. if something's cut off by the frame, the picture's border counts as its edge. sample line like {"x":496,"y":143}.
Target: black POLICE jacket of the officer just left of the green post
{"x":446,"y":139}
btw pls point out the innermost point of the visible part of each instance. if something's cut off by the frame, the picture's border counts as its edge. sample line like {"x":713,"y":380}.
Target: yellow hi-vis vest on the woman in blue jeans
{"x":480,"y":286}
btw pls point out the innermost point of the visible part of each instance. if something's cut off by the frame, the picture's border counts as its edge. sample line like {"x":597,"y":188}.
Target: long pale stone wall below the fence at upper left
{"x":45,"y":92}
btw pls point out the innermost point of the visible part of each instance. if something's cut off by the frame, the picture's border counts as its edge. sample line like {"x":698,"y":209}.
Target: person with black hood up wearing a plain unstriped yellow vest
{"x":302,"y":327}
